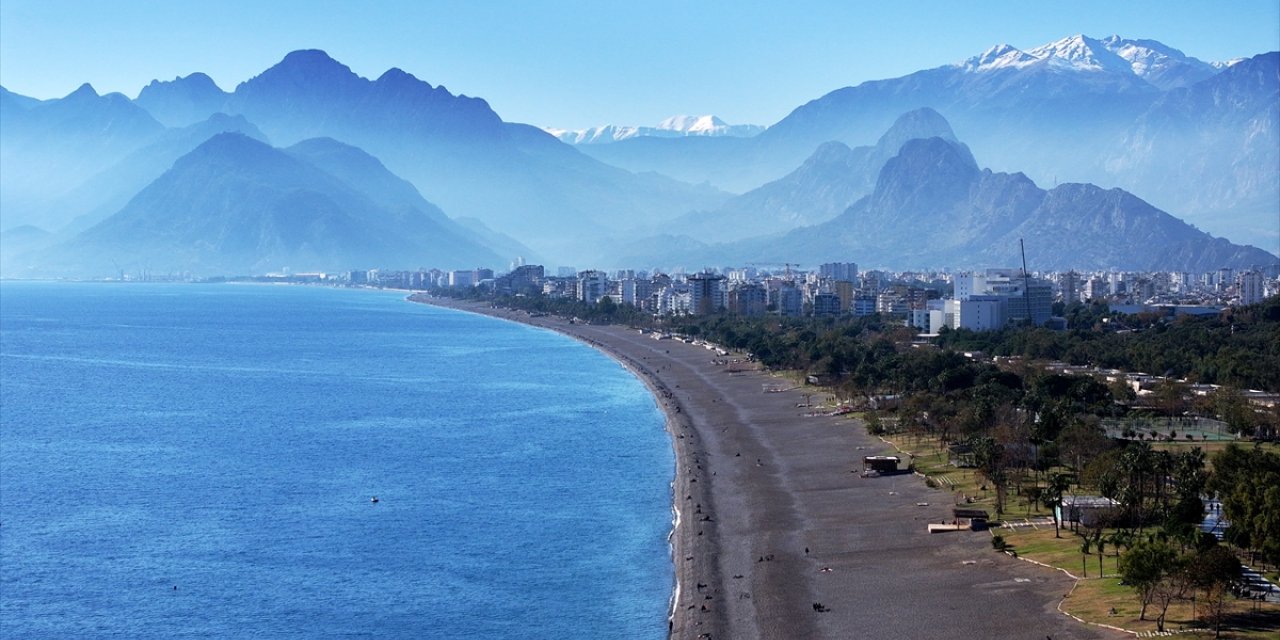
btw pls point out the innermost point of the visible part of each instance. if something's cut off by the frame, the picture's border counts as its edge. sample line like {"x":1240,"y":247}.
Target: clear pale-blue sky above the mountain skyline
{"x":580,"y":63}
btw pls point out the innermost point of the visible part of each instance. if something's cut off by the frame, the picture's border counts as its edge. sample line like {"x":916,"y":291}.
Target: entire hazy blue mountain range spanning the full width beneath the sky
{"x":309,"y":166}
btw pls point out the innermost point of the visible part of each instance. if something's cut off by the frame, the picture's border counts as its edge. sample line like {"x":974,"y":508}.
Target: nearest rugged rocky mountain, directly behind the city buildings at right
{"x":932,"y":207}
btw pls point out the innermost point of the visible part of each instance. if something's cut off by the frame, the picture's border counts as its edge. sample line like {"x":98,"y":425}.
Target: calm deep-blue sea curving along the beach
{"x":200,"y":461}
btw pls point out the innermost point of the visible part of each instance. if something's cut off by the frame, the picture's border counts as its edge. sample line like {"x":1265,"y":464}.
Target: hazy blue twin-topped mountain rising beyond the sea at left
{"x":236,"y":205}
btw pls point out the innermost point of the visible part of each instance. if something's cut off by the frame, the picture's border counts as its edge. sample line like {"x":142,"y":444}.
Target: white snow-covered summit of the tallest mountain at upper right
{"x":1154,"y":62}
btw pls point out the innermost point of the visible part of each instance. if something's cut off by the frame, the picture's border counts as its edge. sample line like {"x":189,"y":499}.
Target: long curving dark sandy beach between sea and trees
{"x":779,"y":537}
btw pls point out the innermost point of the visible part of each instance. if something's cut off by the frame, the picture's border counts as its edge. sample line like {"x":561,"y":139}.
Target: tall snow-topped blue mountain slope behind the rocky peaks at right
{"x":1021,"y":108}
